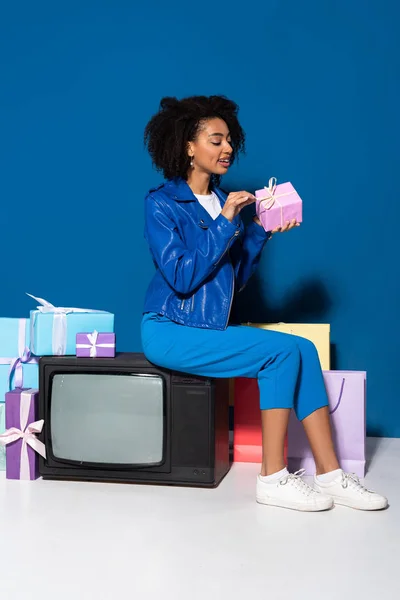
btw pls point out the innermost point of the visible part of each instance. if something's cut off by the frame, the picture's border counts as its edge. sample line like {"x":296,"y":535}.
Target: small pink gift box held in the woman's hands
{"x":277,"y":204}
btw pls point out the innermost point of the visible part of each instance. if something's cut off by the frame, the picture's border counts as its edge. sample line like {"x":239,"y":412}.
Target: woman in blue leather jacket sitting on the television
{"x":203,"y":256}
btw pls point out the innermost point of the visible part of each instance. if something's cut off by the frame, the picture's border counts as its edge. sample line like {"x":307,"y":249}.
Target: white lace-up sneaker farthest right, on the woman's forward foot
{"x":347,"y":490}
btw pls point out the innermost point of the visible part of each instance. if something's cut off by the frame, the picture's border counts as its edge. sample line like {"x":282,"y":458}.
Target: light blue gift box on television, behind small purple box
{"x":54,"y":329}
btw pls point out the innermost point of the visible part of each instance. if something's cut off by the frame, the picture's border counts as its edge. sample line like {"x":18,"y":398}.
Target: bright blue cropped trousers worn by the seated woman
{"x":286,"y":366}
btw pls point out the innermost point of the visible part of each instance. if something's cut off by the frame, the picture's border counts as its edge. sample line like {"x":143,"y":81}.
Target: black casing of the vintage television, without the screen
{"x":196,"y":425}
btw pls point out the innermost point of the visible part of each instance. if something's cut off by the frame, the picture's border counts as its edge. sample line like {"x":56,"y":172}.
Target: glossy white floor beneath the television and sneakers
{"x":61,"y":540}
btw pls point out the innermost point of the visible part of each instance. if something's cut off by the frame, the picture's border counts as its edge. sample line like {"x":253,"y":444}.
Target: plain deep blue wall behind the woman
{"x":318,"y":87}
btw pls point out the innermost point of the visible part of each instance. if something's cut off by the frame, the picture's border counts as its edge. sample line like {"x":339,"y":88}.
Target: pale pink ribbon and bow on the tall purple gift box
{"x":27,"y":433}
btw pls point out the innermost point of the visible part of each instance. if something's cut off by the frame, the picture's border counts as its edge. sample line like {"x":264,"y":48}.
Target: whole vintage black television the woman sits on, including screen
{"x":124,"y":419}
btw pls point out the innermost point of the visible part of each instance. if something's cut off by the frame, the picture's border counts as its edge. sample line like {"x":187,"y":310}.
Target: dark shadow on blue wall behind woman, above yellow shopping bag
{"x":308,"y":303}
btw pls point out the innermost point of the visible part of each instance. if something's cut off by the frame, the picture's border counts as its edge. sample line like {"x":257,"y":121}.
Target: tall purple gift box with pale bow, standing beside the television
{"x":22,"y":445}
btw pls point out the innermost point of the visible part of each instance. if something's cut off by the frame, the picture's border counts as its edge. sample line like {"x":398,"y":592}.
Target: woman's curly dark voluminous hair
{"x":178,"y":122}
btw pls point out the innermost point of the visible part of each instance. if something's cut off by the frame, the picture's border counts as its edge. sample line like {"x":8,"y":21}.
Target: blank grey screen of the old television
{"x":111,"y":418}
